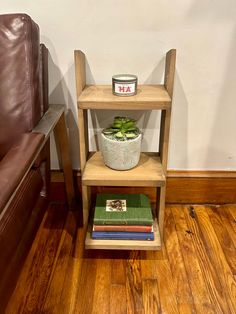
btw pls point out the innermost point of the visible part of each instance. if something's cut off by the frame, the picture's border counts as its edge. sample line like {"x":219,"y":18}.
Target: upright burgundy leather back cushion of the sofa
{"x":20,"y":96}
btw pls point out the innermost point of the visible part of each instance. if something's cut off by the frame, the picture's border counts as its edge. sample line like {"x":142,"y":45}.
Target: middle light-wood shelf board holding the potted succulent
{"x":149,"y":172}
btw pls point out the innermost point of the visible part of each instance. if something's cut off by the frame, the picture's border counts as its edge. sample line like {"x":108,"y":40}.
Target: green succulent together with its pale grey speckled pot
{"x":121,"y":144}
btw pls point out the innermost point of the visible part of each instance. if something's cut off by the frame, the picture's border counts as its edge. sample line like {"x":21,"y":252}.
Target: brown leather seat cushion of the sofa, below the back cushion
{"x":16,"y":163}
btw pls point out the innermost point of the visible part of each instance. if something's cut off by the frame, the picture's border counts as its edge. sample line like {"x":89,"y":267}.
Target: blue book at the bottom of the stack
{"x":112,"y":235}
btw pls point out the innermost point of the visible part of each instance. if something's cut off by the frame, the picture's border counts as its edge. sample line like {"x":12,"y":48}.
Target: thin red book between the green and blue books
{"x":123,"y":228}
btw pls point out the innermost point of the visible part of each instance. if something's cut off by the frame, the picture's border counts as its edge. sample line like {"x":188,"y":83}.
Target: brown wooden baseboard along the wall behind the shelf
{"x":183,"y":187}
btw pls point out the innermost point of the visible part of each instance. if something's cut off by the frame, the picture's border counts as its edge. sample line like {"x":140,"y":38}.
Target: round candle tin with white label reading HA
{"x":124,"y":84}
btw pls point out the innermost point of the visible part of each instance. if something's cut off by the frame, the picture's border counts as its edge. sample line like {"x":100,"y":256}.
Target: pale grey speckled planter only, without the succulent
{"x":121,"y":155}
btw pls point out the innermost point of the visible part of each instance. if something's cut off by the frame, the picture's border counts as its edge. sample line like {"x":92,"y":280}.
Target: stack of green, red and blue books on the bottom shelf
{"x":123,"y":216}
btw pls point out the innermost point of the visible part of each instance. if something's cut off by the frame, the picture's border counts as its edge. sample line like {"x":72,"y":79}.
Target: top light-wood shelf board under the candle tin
{"x":148,"y":97}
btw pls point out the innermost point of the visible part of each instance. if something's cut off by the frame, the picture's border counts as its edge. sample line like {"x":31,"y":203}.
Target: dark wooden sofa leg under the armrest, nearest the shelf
{"x":61,"y":137}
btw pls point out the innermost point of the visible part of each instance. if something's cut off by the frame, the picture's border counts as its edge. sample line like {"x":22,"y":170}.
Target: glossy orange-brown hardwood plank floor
{"x":194,"y":273}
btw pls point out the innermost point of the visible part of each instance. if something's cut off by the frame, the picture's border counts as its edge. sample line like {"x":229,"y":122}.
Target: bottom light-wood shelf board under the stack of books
{"x":154,"y":245}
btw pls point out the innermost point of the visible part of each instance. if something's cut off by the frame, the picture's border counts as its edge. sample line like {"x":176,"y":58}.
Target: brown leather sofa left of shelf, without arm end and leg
{"x":23,"y":102}
